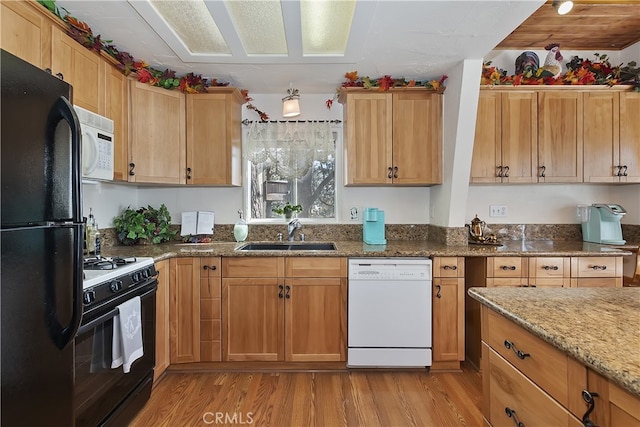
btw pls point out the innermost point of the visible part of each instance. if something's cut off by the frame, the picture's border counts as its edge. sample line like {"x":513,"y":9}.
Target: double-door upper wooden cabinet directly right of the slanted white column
{"x":506,"y":139}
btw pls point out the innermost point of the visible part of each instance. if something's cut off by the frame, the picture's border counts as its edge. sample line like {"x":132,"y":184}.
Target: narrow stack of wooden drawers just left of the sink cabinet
{"x":210,"y":309}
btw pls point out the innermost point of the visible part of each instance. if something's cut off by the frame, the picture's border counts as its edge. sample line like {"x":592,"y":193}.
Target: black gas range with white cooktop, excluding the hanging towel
{"x":104,"y":395}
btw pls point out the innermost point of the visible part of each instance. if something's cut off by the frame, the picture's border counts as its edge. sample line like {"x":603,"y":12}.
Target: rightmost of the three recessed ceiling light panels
{"x":326,"y":26}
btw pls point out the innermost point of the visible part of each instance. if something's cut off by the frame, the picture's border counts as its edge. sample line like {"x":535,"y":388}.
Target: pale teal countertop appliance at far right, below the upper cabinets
{"x":602,"y":224}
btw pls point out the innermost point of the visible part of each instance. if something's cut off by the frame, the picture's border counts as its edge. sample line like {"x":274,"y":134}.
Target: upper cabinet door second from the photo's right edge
{"x":601,"y":136}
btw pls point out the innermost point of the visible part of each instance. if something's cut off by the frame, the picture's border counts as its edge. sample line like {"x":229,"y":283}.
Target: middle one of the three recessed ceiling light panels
{"x":259,"y":25}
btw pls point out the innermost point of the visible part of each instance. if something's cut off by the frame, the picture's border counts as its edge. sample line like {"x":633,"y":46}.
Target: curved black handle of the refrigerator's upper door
{"x":63,"y":110}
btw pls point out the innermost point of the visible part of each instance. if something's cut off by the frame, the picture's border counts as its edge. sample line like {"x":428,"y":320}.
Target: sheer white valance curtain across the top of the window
{"x":290,"y":147}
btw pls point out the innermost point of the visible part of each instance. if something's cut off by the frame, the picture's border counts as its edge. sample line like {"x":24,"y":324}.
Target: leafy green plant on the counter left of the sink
{"x":144,"y":226}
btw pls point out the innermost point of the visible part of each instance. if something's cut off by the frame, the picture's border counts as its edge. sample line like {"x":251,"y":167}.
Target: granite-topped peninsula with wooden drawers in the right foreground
{"x":548,"y":352}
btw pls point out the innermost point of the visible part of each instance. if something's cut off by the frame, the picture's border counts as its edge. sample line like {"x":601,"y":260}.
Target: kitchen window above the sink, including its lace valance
{"x":291,"y":162}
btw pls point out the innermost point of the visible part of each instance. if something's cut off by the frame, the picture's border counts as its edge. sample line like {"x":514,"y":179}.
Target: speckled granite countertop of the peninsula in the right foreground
{"x":597,"y":326}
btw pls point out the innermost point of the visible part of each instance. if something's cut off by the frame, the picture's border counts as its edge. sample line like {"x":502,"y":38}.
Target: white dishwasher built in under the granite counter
{"x":389,"y":312}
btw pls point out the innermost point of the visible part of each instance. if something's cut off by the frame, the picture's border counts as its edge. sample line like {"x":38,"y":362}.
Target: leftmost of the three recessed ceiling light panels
{"x":194,"y":25}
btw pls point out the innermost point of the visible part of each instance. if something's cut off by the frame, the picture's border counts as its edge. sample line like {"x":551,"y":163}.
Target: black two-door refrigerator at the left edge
{"x":41,"y":244}
